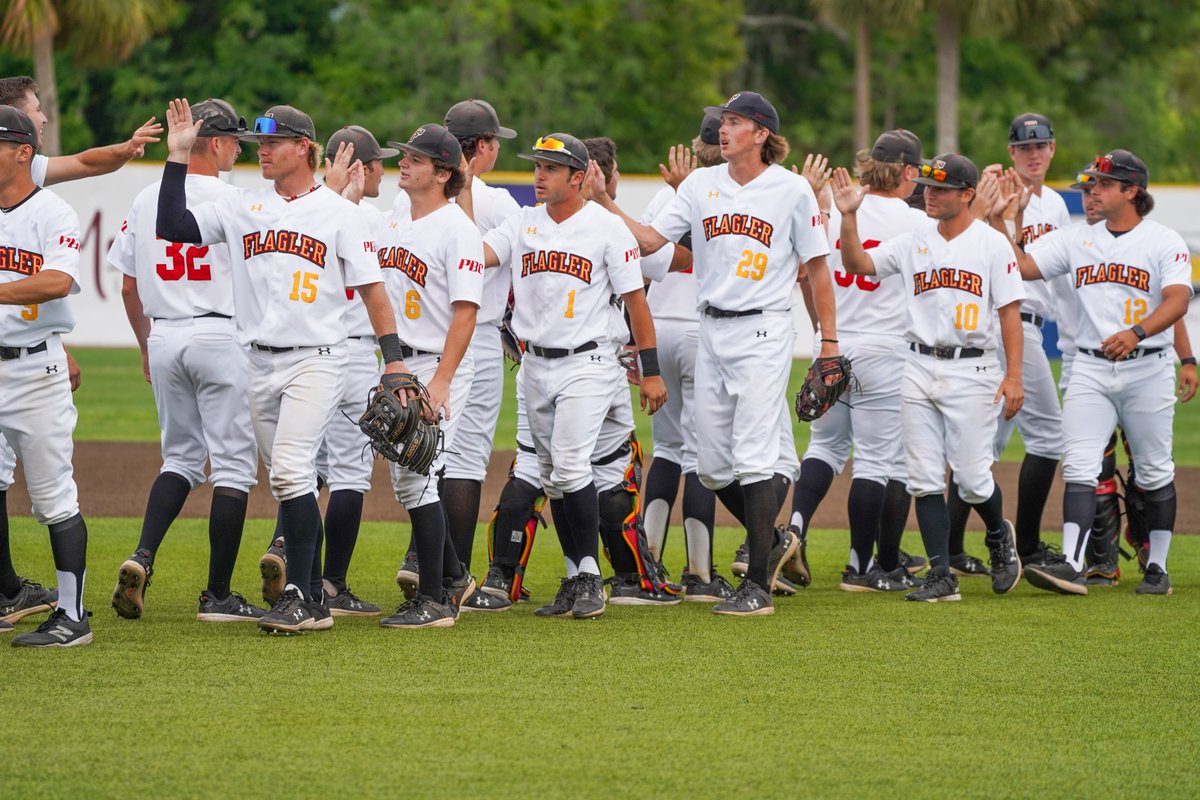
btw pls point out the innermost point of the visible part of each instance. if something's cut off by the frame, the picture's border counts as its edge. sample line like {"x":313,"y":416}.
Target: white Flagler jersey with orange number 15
{"x":292,"y":262}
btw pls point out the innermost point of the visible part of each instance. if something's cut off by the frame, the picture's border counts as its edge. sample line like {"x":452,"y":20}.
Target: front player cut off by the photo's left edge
{"x":40,"y":248}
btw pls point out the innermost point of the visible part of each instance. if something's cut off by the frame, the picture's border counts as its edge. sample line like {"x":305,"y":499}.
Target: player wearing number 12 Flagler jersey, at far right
{"x":1133,"y":280}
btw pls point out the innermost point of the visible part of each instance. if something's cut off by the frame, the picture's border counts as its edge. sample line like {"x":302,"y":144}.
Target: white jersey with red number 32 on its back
{"x":176,"y":281}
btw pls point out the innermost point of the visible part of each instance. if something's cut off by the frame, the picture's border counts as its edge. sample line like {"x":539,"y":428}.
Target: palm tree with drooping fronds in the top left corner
{"x":98,"y":33}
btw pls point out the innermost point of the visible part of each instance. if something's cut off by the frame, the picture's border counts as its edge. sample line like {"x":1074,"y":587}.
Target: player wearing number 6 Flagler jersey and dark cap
{"x":433,"y":262}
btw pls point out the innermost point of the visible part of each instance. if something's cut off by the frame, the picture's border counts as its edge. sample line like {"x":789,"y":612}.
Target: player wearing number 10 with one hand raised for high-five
{"x":957,"y":274}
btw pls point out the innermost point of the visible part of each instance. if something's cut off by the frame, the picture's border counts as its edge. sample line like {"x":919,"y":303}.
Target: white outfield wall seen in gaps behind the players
{"x":103,"y":203}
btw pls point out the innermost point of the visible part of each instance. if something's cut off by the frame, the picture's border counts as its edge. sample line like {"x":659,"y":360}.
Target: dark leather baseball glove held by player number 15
{"x":401,"y":434}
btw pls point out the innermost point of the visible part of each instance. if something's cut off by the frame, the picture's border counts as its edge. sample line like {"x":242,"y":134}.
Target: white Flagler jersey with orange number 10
{"x":952,"y":287}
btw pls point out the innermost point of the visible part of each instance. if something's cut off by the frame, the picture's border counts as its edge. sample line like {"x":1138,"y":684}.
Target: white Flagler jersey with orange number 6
{"x":429,"y":264}
